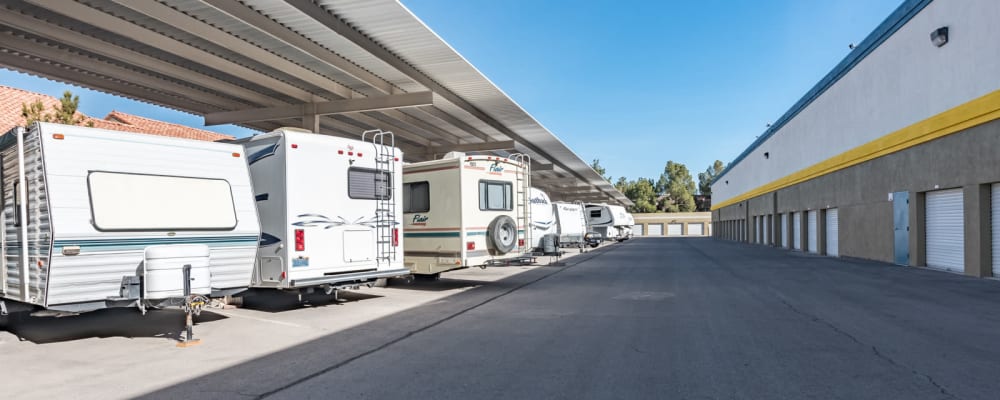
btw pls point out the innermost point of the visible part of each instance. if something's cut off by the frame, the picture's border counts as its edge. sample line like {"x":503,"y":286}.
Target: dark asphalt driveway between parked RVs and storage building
{"x":660,"y":318}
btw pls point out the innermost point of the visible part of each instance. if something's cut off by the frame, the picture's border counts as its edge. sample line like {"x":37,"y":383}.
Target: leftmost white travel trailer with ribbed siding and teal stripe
{"x":96,"y":219}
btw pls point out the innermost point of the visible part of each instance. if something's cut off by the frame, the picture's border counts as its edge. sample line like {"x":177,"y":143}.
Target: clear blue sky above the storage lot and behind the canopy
{"x":633,"y":83}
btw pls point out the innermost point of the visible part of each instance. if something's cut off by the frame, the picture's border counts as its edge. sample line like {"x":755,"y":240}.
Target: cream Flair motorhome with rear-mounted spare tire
{"x":465,"y":211}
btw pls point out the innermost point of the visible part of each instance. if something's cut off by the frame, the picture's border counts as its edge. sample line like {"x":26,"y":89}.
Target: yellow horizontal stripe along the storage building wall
{"x":965,"y":116}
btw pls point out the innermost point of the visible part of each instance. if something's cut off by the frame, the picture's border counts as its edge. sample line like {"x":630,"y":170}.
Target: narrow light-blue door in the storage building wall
{"x":945,"y":226}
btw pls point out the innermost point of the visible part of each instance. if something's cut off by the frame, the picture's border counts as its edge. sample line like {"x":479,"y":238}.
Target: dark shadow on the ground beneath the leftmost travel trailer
{"x":114,"y":322}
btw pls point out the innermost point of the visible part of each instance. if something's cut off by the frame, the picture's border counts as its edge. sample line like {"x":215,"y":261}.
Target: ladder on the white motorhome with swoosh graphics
{"x":385,"y":209}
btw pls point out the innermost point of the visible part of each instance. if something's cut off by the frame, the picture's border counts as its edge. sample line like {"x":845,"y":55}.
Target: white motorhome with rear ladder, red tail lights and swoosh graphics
{"x":330,"y":209}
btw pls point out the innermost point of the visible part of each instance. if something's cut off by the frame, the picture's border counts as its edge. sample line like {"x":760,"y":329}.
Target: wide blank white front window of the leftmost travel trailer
{"x":137,"y":202}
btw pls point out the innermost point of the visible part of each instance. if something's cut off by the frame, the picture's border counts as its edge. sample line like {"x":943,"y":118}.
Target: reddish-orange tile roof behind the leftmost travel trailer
{"x":12,"y":98}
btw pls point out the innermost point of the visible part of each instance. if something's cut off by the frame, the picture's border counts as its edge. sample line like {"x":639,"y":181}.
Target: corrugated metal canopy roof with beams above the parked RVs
{"x":335,"y":66}
